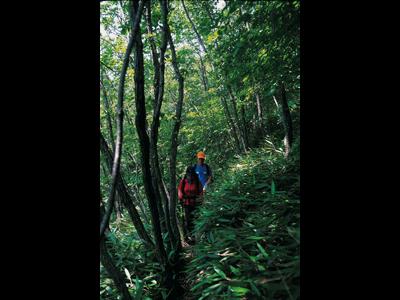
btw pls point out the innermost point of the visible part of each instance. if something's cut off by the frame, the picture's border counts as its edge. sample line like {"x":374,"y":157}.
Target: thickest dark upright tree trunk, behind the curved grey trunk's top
{"x":144,"y":141}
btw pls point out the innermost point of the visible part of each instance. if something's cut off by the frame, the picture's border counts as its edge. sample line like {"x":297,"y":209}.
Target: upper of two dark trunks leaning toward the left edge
{"x":124,"y":195}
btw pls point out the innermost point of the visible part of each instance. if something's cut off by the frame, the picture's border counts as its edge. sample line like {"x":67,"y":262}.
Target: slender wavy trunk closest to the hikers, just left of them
{"x":174,"y":141}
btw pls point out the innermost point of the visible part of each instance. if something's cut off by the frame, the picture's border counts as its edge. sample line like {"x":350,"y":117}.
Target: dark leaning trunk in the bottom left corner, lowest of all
{"x":108,"y":263}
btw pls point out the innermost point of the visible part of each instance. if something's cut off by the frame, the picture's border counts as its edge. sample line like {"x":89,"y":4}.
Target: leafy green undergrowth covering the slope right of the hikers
{"x":248,"y":234}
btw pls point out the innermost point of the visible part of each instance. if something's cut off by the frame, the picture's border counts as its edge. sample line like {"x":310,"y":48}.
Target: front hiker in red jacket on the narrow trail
{"x":188,"y":190}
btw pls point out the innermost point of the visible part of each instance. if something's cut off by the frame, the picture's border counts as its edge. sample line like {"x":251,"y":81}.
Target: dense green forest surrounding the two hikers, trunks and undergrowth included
{"x":183,"y":76}
